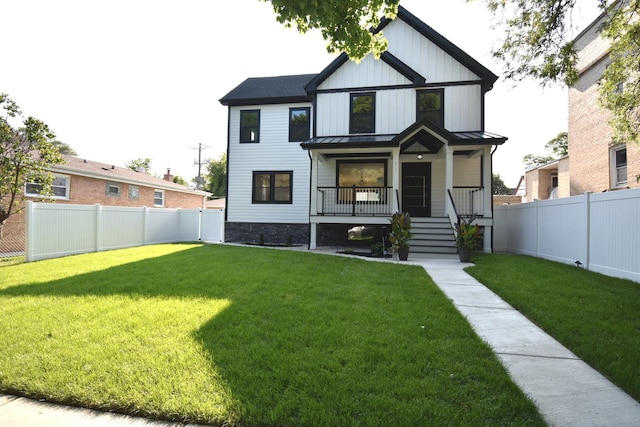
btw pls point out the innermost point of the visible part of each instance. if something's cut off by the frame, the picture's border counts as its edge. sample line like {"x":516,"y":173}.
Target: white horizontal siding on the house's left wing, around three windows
{"x":273,"y":153}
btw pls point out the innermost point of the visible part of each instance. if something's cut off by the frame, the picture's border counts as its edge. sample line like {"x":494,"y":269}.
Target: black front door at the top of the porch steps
{"x":416,"y":189}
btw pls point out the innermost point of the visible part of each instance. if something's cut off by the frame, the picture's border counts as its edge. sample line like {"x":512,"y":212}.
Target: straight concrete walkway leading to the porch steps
{"x":567,"y":391}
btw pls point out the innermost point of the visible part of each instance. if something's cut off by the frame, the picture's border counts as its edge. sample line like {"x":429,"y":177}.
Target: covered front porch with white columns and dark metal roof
{"x":426,"y":171}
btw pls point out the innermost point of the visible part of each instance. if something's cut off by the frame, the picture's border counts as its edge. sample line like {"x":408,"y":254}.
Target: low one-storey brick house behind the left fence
{"x":84,"y":182}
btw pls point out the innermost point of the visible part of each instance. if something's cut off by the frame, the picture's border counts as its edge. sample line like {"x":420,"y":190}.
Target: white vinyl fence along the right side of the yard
{"x":601,"y":231}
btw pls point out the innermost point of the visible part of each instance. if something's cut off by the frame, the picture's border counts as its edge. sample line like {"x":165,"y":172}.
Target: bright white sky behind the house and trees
{"x":124,"y":79}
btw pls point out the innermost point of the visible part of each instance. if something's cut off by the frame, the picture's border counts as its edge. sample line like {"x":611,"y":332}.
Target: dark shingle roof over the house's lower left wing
{"x":269,"y":90}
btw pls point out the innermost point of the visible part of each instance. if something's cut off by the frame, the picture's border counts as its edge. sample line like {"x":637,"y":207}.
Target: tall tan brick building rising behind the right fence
{"x":595,"y":162}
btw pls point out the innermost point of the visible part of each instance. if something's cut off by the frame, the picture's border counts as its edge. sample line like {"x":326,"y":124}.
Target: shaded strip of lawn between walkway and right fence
{"x":595,"y":316}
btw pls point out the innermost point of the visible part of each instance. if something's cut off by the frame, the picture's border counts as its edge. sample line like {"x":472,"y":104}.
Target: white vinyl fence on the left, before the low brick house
{"x":55,"y":230}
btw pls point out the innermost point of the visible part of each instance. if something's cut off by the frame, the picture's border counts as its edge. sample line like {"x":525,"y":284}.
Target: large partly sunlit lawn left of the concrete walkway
{"x":248,"y":336}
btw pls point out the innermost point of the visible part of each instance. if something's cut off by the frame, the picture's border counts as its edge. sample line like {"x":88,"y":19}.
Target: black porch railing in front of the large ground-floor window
{"x":354,"y":201}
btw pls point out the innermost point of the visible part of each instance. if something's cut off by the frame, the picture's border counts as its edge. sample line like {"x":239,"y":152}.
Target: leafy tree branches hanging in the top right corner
{"x":535,"y":44}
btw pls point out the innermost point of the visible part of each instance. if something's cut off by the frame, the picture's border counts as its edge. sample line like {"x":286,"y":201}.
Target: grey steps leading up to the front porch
{"x":432,"y":235}
